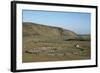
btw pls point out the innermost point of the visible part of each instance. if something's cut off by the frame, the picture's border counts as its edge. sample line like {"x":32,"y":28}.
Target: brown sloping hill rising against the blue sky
{"x":47,"y":32}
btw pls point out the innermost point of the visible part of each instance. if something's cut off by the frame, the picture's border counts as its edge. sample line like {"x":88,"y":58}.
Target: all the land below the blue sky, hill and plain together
{"x":45,"y":43}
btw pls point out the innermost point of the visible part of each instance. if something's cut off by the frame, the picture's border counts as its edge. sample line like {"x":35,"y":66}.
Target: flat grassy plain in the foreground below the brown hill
{"x":62,"y":50}
